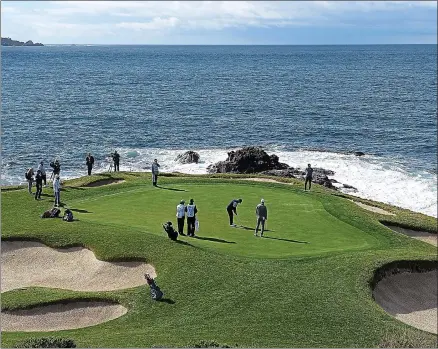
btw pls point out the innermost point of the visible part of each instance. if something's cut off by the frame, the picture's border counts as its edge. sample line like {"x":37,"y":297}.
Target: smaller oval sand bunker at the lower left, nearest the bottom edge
{"x":60,"y":316}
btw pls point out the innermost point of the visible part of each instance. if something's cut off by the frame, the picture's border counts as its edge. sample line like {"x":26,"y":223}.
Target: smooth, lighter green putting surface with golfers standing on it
{"x":297,"y":225}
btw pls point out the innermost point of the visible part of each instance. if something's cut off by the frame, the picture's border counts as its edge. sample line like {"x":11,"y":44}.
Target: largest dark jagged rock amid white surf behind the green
{"x":247,"y":160}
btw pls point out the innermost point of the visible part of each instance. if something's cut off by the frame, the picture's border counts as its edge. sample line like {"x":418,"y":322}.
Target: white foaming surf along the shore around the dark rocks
{"x":376,"y":178}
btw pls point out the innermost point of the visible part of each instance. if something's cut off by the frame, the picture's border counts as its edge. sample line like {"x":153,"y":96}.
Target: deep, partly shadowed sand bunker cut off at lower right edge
{"x":411,"y":298}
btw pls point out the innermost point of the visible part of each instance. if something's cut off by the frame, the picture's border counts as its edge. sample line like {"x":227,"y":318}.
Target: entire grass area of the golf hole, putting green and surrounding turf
{"x":305,"y":284}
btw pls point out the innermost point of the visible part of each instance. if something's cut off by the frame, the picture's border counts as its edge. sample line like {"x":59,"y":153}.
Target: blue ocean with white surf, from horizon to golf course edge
{"x":307,"y":104}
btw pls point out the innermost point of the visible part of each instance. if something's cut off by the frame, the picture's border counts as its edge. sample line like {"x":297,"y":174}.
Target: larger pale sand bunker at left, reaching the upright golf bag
{"x":26,"y":263}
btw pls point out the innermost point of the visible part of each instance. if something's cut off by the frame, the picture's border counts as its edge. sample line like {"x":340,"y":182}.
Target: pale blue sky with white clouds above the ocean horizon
{"x":221,"y":22}
